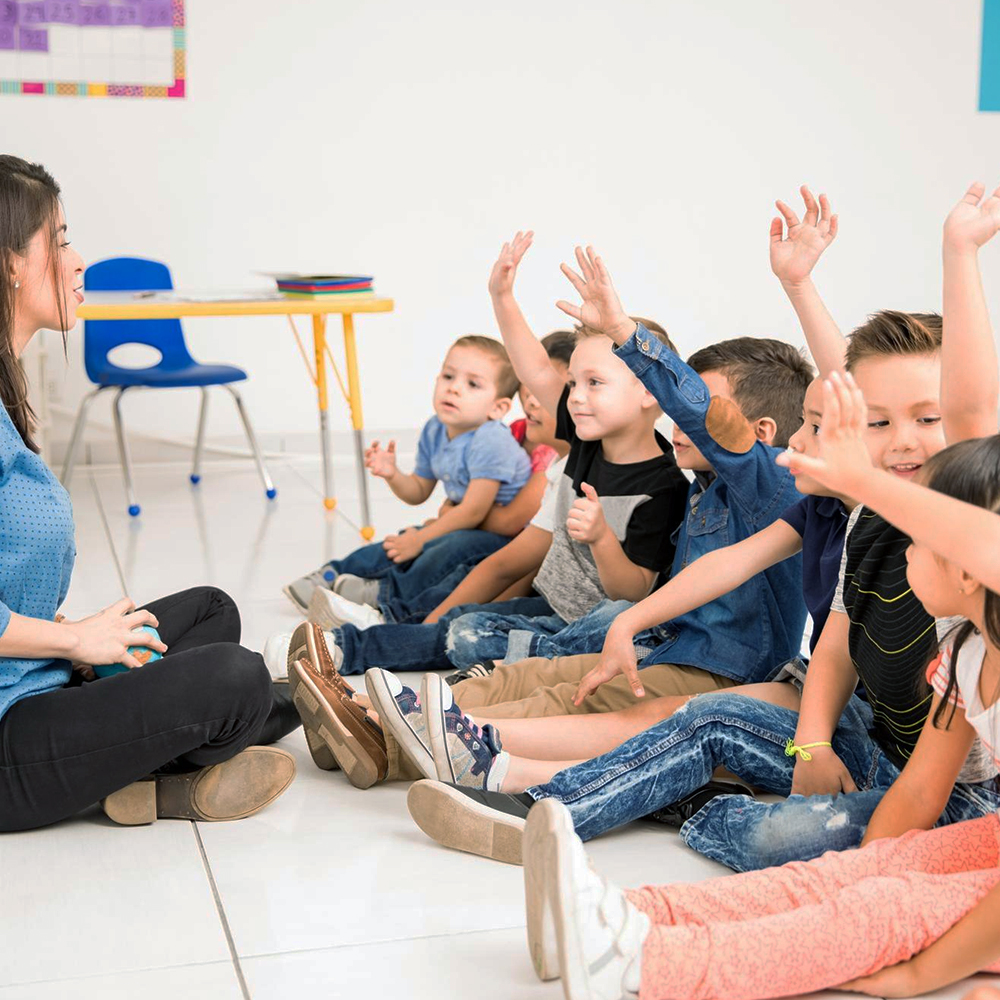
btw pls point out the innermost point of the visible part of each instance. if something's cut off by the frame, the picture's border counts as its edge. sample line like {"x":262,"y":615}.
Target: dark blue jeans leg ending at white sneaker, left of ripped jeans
{"x":409,"y":646}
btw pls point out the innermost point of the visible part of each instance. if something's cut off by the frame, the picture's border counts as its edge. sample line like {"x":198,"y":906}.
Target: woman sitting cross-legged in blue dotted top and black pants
{"x":179,"y":737}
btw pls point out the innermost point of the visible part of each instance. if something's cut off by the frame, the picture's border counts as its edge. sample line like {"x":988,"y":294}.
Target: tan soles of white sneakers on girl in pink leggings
{"x":553,"y":941}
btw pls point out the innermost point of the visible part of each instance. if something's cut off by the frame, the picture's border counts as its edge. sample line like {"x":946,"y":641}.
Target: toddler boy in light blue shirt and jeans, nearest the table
{"x":466,"y":447}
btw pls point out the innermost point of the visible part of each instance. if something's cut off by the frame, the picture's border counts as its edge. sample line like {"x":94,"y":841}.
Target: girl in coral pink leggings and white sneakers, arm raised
{"x":896,"y":918}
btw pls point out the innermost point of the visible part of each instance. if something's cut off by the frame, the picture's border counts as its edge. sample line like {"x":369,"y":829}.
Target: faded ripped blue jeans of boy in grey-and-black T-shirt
{"x":509,"y":638}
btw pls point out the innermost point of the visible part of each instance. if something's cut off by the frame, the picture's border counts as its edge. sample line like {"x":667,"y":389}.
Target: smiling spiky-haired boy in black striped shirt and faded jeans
{"x":877,"y":631}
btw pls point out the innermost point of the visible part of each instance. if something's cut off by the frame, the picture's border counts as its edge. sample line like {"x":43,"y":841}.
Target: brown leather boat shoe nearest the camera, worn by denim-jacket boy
{"x":338,"y":730}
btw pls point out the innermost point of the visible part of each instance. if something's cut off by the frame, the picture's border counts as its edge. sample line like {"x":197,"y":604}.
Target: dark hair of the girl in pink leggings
{"x":969,"y":471}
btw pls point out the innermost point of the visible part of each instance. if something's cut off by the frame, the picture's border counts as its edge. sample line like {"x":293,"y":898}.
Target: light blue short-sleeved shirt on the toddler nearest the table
{"x":488,"y":452}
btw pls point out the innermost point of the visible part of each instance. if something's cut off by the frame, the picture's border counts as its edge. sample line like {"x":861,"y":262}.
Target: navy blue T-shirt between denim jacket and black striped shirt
{"x":822,"y":522}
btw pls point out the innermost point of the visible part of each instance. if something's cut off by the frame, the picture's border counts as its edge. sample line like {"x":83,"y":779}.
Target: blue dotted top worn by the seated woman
{"x":37,"y":552}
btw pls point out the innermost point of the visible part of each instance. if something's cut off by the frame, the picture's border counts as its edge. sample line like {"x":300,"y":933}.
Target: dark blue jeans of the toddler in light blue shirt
{"x":408,"y":591}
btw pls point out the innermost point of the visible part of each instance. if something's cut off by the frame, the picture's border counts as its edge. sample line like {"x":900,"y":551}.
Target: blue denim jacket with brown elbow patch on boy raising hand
{"x":750,"y":632}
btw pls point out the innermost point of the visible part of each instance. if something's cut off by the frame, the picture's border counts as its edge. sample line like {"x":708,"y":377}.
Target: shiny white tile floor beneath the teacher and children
{"x":332,"y":891}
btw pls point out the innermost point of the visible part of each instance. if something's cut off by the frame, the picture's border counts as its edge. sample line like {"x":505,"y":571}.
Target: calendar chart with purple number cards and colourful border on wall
{"x":92,"y":48}
